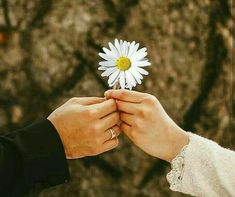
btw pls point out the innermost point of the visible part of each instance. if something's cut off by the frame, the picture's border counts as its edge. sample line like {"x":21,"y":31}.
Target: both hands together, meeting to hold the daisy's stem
{"x":85,"y":124}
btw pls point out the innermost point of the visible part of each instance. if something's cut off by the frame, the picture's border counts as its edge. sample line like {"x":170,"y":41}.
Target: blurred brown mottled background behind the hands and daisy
{"x":49,"y":53}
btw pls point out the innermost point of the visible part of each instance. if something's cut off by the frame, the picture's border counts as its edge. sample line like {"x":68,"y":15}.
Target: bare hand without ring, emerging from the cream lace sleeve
{"x":147,"y":124}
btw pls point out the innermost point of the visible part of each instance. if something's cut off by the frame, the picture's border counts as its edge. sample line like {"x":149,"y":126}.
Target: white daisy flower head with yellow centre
{"x":123,"y":63}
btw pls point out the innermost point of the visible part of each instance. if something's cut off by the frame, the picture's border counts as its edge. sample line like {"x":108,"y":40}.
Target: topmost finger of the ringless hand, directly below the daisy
{"x":125,"y":95}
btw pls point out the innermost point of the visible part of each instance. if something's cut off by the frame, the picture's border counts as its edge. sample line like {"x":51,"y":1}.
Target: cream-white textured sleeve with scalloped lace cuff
{"x":203,"y":168}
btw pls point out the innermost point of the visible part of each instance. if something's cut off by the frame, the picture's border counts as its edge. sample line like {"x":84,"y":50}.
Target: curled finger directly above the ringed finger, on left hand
{"x":109,"y":121}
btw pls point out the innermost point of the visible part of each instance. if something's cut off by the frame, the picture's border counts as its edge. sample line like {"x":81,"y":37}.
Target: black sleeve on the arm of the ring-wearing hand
{"x":32,"y":159}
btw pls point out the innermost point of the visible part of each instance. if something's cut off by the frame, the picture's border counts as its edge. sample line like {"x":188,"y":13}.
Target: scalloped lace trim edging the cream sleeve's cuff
{"x":175,"y":176}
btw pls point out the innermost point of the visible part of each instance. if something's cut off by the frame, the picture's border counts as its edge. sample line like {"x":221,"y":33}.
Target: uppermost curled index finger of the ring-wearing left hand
{"x":104,"y":108}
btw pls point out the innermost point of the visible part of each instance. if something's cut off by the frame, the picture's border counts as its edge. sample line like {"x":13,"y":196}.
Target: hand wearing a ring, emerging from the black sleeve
{"x":83,"y":125}
